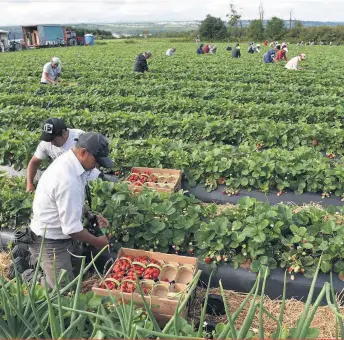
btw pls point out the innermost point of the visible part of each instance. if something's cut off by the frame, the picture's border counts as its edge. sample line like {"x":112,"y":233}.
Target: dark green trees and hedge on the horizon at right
{"x":212,"y":28}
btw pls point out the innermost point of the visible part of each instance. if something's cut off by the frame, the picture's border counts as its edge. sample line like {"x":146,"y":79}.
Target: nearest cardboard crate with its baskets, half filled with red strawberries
{"x":162,"y":277}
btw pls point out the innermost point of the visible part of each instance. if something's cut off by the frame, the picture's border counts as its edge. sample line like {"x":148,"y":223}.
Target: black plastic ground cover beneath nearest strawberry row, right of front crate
{"x":242,"y":280}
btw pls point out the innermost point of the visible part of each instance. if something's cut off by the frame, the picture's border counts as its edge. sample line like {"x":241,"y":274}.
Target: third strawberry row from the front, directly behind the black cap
{"x":191,"y":128}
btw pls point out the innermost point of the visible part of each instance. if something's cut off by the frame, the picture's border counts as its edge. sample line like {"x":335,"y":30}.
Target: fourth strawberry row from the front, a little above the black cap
{"x":219,"y":107}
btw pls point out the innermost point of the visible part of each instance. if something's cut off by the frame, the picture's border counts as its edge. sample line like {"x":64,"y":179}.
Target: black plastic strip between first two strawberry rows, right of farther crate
{"x":217,"y":197}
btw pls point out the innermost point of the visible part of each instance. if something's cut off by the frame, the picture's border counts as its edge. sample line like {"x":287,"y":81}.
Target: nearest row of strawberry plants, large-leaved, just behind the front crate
{"x":252,"y":233}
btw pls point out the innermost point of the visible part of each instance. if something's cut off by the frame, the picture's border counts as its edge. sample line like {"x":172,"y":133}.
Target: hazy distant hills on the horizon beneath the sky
{"x":136,"y":28}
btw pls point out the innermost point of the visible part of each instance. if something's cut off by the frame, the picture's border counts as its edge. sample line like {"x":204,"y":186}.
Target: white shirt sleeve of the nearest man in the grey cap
{"x":69,"y":202}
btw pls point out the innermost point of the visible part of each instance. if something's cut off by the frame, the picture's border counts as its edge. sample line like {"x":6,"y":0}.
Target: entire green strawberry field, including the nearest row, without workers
{"x":221,"y":121}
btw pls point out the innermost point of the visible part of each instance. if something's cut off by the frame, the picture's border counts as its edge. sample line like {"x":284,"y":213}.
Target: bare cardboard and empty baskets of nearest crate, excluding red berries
{"x":164,"y":296}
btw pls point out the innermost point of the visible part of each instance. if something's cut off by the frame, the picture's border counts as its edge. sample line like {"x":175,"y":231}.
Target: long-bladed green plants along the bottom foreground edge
{"x":31,"y":311}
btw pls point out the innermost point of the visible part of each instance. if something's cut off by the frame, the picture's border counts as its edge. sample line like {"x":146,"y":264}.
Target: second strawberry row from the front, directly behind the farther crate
{"x":302,"y":170}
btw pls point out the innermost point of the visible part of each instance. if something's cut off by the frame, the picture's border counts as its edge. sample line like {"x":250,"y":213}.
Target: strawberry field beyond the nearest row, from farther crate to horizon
{"x":219,"y":120}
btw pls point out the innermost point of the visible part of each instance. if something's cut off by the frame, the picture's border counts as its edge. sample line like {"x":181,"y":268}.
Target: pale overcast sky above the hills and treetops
{"x":23,"y":12}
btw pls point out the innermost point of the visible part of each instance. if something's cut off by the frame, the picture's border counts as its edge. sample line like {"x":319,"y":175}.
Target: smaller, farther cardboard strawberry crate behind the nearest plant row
{"x":162,"y":180}
